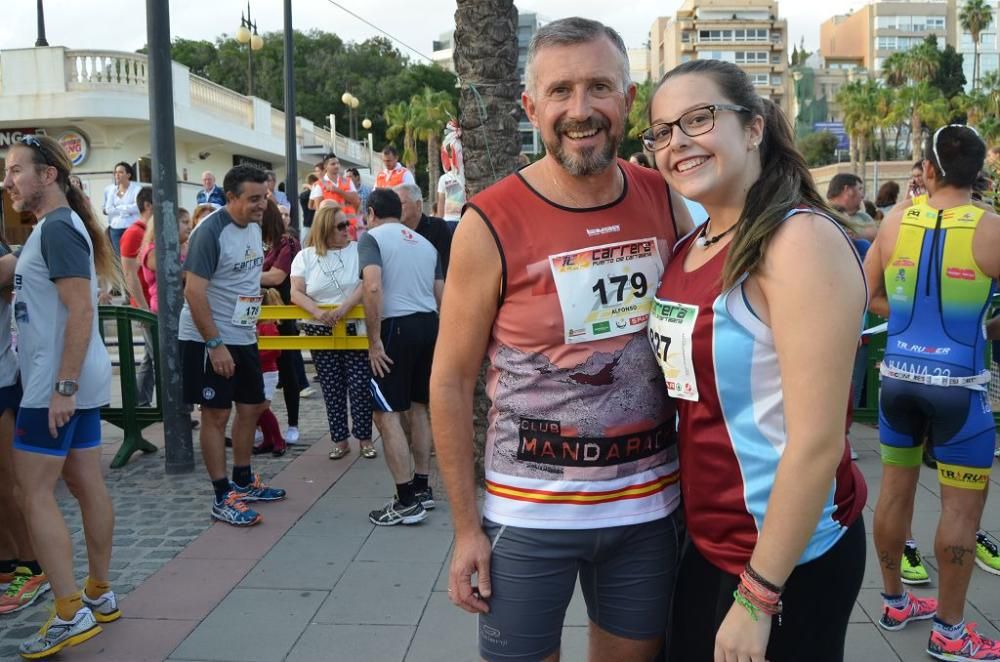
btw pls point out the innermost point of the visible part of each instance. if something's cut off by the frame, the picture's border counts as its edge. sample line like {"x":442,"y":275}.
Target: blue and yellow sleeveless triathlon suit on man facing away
{"x":934,"y":377}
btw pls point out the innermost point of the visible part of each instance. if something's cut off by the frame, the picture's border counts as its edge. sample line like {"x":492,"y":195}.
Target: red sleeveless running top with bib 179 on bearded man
{"x":581,"y":432}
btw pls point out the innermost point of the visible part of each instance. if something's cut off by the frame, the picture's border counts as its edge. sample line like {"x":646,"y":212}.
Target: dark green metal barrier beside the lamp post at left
{"x":130,"y":417}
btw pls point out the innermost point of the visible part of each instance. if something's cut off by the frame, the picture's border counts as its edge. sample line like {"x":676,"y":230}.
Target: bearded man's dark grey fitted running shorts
{"x":627,"y":574}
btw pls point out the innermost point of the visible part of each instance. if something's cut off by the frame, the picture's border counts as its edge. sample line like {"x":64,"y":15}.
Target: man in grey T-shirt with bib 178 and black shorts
{"x":218,"y":334}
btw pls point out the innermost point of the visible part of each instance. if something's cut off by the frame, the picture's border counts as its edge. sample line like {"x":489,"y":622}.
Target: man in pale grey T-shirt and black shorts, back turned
{"x":402,"y":291}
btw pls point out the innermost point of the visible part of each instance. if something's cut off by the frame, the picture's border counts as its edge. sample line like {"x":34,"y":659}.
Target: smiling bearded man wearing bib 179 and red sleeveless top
{"x":581,"y":459}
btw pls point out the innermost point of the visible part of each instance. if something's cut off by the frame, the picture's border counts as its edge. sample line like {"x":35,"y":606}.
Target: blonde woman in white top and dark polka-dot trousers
{"x":326,"y":271}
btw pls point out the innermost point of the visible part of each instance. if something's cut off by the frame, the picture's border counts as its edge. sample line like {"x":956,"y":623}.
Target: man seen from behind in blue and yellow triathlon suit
{"x":933,"y":268}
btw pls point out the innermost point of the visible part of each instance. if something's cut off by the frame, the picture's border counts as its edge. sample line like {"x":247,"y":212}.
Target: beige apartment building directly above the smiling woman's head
{"x":747,"y":33}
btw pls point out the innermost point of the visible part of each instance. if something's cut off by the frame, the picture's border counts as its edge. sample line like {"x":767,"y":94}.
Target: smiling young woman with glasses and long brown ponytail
{"x":755,"y":325}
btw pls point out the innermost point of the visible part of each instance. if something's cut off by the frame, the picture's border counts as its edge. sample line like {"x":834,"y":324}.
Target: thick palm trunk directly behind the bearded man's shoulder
{"x":486,"y":64}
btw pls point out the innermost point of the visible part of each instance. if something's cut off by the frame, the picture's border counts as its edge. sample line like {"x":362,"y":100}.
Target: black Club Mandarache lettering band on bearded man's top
{"x":541,"y":441}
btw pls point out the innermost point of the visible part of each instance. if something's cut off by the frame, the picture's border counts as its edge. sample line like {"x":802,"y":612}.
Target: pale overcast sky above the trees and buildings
{"x":121,"y":24}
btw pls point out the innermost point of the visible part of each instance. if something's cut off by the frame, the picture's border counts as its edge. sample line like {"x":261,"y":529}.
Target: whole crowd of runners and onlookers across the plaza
{"x":662,"y":427}
